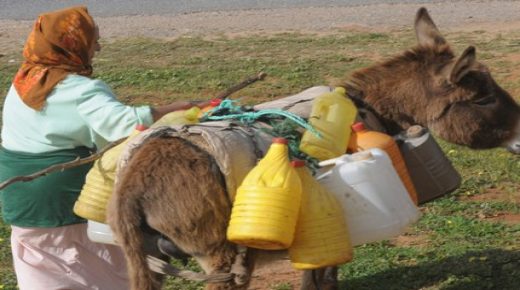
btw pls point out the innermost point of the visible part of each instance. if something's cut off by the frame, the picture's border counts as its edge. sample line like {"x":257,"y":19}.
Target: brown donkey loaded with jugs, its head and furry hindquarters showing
{"x":174,"y":187}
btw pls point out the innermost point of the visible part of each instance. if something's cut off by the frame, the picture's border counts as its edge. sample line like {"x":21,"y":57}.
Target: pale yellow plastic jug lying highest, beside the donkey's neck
{"x":332,"y":115}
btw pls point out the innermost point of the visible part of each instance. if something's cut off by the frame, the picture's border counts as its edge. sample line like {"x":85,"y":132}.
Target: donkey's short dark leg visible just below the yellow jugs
{"x":325,"y":278}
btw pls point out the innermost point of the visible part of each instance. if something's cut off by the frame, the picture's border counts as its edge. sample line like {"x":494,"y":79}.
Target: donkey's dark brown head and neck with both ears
{"x":455,"y":97}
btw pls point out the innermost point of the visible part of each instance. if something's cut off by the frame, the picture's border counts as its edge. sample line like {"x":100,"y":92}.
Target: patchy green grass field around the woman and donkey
{"x":458,"y":244}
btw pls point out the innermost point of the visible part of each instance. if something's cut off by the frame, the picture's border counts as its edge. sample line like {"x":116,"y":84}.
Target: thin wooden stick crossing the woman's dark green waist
{"x":62,"y":166}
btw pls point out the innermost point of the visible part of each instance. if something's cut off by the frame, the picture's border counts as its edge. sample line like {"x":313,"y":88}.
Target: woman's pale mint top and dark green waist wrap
{"x":80,"y":115}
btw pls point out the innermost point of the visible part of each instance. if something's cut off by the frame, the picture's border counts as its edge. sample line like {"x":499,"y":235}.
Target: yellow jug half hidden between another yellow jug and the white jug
{"x":321,"y":238}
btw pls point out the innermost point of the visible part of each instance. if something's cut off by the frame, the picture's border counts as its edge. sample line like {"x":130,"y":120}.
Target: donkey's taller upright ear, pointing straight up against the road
{"x":426,"y":31}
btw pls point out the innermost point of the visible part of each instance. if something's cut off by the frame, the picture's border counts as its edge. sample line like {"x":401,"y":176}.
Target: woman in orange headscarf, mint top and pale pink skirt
{"x":53,"y":113}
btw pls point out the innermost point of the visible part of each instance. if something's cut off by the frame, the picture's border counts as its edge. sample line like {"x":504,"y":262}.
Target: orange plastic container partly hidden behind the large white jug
{"x":363,"y":139}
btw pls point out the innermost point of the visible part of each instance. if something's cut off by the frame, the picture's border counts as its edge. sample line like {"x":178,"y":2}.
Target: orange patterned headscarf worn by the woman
{"x":59,"y":44}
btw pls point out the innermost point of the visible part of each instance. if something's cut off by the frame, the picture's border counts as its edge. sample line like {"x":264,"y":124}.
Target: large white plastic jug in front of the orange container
{"x":375,"y":202}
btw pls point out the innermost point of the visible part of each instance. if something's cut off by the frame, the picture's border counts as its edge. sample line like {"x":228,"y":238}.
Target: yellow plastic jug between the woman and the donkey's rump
{"x":99,"y":183}
